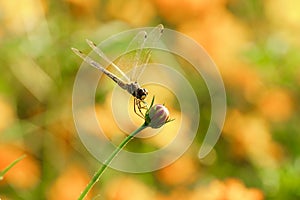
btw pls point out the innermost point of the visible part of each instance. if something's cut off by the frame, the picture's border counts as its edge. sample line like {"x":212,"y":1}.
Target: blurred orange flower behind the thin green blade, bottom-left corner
{"x":25,"y":174}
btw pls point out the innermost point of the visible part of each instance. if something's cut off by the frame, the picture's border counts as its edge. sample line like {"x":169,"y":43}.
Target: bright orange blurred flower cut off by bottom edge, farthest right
{"x":231,"y":189}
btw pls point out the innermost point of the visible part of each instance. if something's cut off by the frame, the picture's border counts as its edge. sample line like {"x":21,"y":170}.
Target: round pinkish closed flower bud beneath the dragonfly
{"x":159,"y":115}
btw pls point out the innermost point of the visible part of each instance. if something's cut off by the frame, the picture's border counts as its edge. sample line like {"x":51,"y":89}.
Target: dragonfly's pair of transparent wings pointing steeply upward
{"x":138,"y":51}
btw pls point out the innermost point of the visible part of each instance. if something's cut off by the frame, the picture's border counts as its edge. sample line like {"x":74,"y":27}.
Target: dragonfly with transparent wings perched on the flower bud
{"x":140,"y":44}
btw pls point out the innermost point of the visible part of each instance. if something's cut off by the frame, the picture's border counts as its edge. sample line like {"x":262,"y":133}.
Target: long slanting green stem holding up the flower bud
{"x":98,"y":174}
